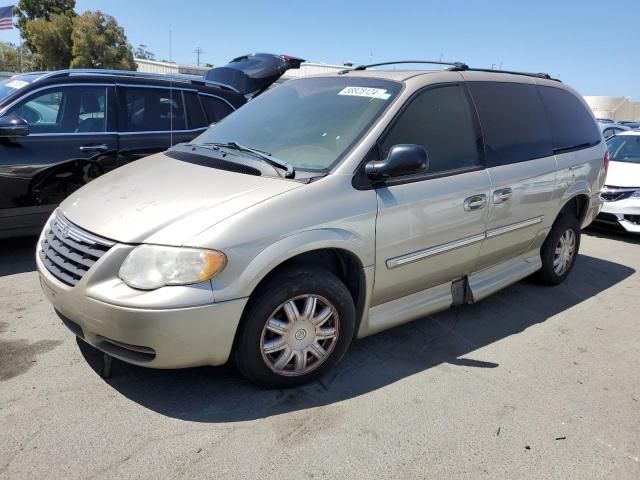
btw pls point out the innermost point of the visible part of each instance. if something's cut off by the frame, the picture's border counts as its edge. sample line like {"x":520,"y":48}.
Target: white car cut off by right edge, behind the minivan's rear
{"x":621,"y":193}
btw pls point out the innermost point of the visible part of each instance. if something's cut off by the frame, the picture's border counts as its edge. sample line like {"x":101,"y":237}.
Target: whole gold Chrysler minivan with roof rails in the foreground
{"x":329,"y":208}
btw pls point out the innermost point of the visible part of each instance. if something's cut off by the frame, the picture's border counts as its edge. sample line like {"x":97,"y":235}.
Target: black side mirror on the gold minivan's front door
{"x":403,"y":159}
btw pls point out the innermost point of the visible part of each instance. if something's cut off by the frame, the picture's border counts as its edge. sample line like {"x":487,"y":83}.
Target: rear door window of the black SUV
{"x":153,"y":110}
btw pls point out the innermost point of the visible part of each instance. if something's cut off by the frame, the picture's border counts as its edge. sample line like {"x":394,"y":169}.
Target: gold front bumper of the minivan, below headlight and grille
{"x":166,"y":337}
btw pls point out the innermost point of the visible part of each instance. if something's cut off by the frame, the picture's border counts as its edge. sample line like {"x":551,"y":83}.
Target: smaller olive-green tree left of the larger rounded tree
{"x":51,"y":41}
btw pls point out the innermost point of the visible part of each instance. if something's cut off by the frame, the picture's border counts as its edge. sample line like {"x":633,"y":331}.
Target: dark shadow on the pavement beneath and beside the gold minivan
{"x":219,"y":394}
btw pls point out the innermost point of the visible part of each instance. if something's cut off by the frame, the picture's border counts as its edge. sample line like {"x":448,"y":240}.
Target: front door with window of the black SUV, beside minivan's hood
{"x":70,"y":142}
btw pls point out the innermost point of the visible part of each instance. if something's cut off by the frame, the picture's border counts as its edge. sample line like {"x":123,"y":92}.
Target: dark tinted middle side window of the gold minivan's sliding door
{"x":514,"y":123}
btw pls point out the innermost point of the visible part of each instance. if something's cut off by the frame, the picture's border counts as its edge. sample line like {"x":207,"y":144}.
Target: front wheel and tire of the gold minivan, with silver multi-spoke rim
{"x":297,"y":326}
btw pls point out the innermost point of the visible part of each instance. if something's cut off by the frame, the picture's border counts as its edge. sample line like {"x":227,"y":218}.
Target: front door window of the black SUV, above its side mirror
{"x":65,"y":110}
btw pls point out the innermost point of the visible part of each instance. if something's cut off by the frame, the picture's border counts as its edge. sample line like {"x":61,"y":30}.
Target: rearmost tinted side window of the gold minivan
{"x":571,"y":123}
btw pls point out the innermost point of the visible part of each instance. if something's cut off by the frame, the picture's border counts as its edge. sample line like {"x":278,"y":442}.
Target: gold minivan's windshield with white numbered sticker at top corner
{"x":309,"y":123}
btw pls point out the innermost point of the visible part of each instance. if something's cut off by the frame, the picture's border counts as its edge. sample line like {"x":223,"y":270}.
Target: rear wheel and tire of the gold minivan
{"x":559,"y":251}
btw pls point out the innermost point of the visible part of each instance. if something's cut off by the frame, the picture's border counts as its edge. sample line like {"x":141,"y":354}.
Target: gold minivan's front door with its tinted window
{"x":430,"y":226}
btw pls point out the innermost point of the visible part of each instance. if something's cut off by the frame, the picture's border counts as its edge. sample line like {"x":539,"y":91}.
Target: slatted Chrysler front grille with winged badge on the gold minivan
{"x":68,"y":252}
